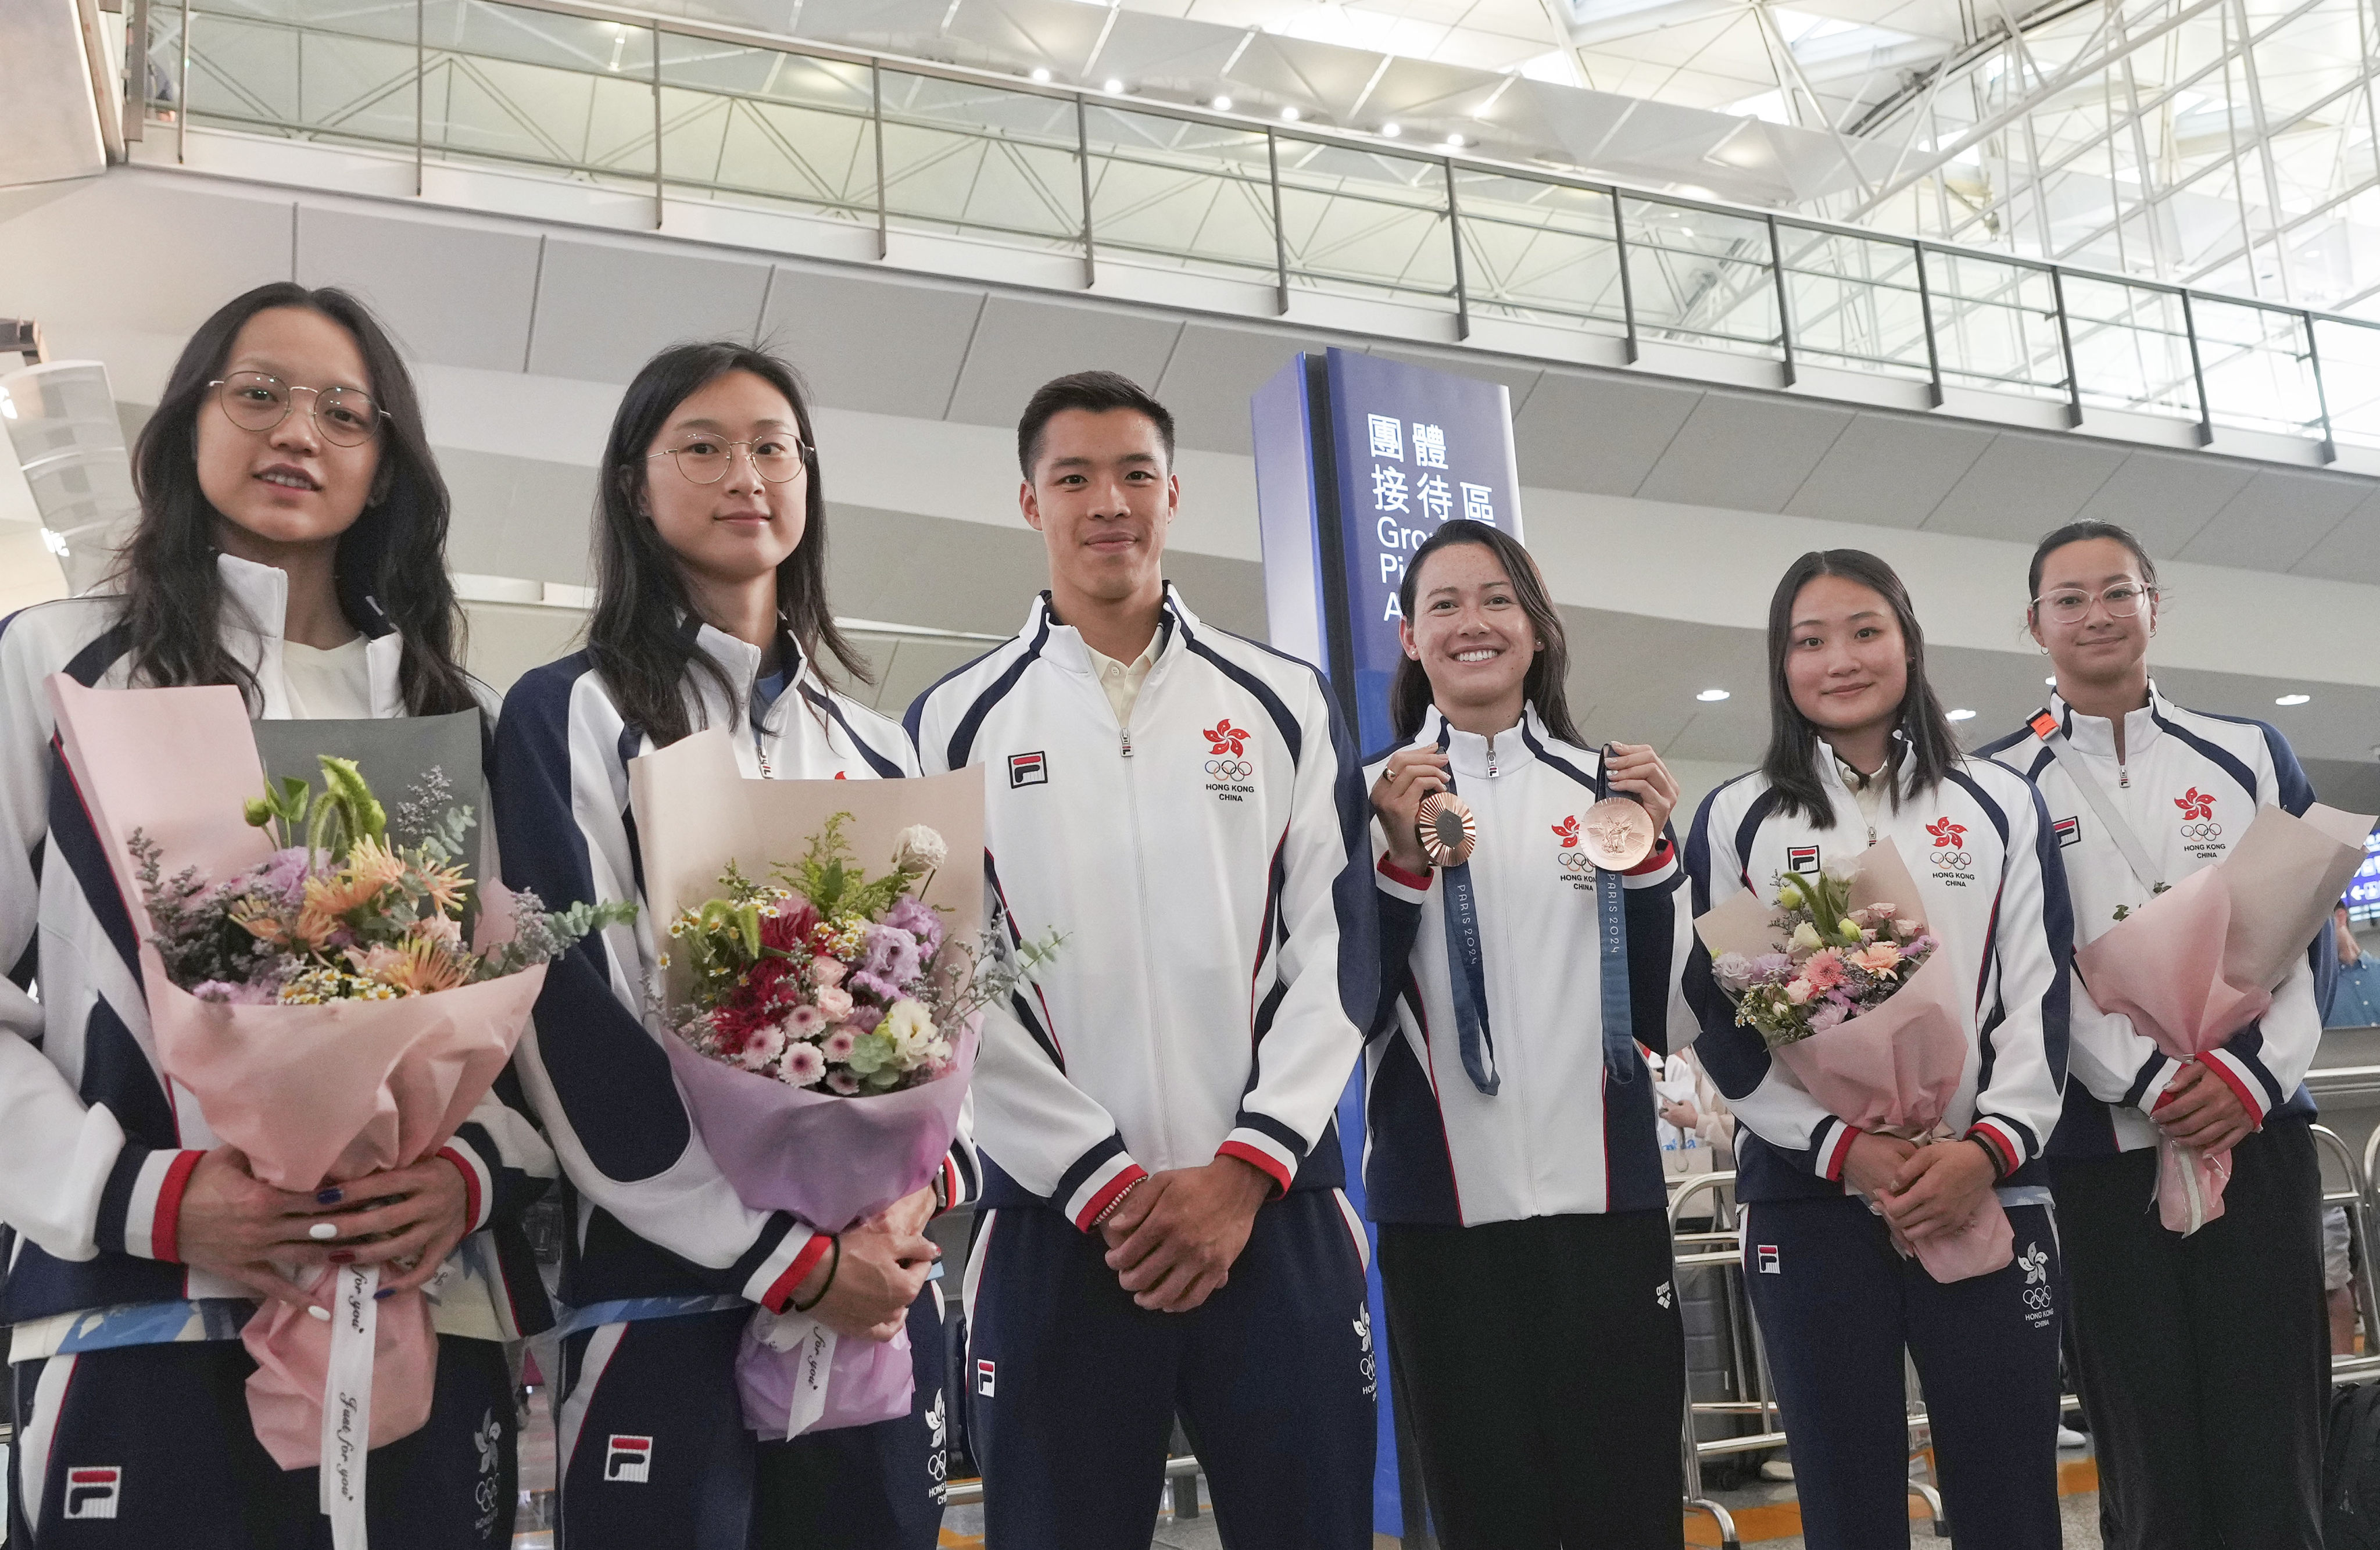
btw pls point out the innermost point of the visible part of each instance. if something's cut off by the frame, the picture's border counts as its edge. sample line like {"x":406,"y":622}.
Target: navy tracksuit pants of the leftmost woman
{"x":149,"y":1446}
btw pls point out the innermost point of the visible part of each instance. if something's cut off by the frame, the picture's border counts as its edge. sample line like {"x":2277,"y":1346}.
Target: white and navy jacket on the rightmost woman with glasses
{"x":2188,"y":787}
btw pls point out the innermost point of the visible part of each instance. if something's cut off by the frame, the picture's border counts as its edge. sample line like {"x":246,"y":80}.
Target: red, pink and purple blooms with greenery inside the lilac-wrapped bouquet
{"x":829,"y":980}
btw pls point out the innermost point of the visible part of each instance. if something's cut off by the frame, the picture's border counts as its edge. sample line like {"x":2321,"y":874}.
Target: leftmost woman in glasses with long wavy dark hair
{"x":289,"y":544}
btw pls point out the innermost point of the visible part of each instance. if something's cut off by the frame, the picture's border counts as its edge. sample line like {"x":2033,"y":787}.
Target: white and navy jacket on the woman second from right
{"x":1988,"y":877}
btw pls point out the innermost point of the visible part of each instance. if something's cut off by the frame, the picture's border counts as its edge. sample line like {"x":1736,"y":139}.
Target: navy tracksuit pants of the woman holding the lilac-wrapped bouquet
{"x":656,"y":1451}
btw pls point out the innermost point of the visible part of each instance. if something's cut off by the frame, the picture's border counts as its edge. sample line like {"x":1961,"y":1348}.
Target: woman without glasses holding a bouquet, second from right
{"x":1860,"y":751}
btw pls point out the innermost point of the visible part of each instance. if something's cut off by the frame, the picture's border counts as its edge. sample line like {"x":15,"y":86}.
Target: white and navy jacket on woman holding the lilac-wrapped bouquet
{"x":656,"y":1218}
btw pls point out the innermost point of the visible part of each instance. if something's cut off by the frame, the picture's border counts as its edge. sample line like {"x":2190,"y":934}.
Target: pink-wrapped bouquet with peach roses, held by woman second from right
{"x":1862,"y":1008}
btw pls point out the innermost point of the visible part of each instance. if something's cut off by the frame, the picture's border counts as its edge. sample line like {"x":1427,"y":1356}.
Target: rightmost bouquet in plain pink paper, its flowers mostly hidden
{"x":2200,"y":958}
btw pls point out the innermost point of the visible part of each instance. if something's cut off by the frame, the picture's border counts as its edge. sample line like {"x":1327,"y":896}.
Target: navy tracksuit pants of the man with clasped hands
{"x":1075,"y":1389}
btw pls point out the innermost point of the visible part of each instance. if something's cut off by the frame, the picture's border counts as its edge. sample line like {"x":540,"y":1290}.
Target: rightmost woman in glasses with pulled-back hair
{"x":2205,"y":1361}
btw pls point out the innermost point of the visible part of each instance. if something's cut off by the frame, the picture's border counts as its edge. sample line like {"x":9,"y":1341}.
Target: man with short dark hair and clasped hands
{"x":1155,"y":1115}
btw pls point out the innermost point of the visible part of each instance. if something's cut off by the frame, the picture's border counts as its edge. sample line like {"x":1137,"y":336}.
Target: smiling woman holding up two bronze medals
{"x":1532,"y":918}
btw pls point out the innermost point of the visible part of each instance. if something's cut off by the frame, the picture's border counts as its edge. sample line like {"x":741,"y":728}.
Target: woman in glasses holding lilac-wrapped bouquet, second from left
{"x":710,"y":613}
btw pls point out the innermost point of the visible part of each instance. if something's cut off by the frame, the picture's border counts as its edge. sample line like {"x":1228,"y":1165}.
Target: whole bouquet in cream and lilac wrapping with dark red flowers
{"x":822,"y":1025}
